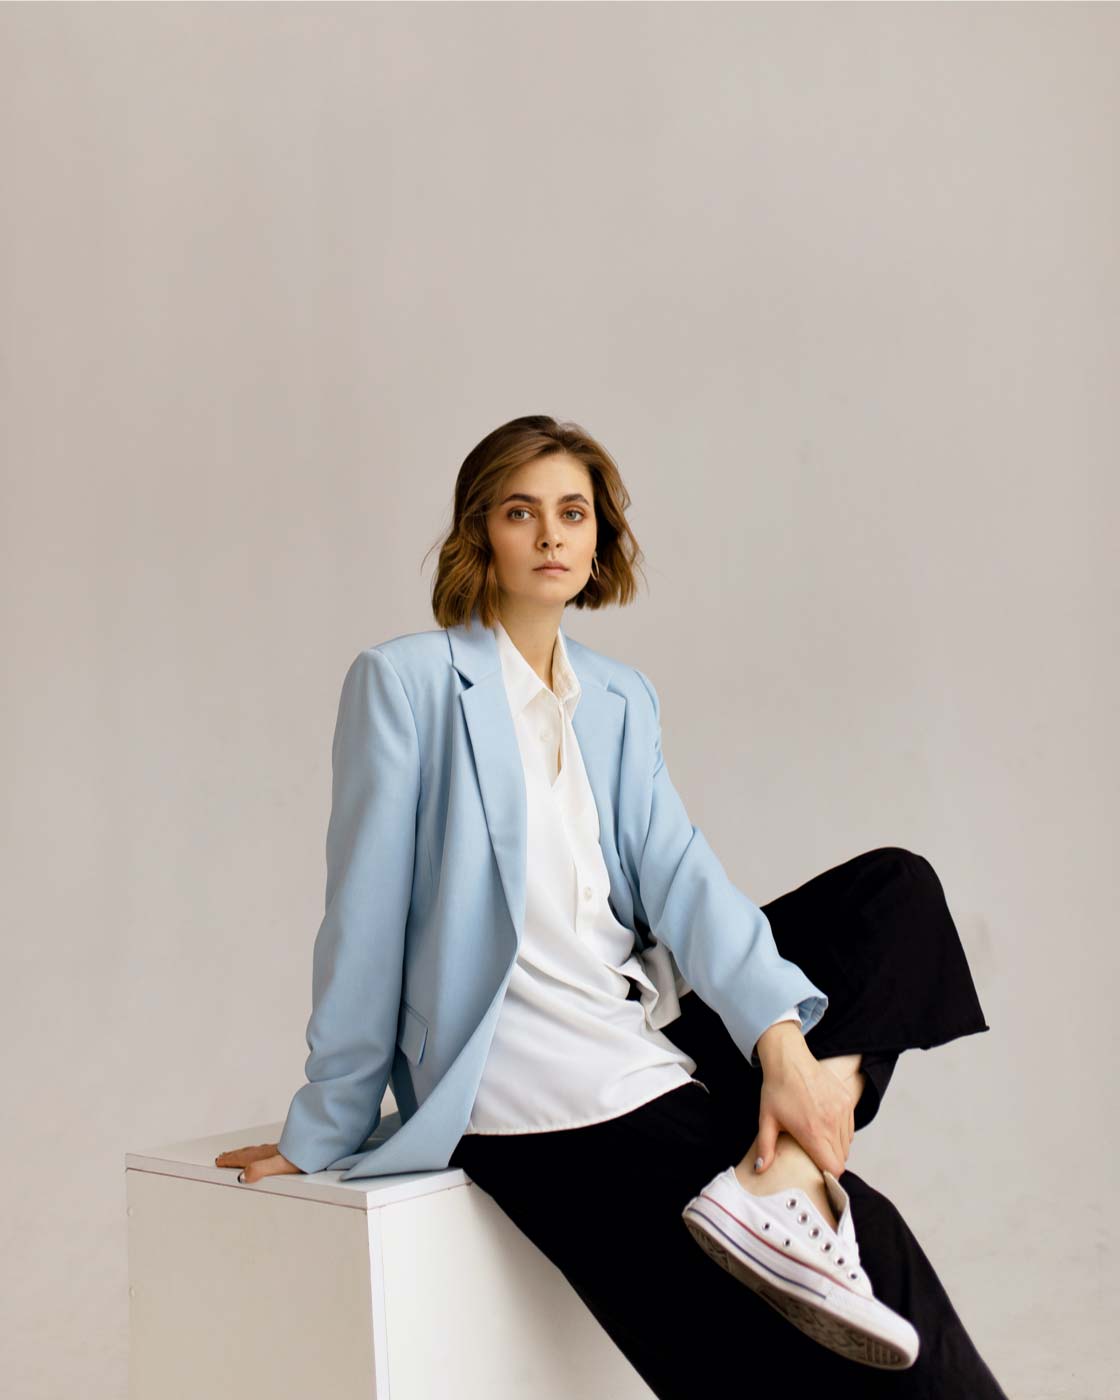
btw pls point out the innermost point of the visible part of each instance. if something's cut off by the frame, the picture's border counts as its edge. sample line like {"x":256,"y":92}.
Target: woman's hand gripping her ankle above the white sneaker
{"x":804,"y":1098}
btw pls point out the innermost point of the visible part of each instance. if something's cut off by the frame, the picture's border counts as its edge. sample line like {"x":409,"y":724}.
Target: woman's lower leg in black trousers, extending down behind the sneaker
{"x":604,"y":1206}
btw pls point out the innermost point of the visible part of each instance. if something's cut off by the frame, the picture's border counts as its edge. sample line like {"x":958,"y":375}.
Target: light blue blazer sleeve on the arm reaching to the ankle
{"x":722,"y":941}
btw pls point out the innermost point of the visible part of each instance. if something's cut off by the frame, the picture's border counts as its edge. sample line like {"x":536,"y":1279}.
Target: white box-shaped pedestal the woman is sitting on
{"x":412,"y":1287}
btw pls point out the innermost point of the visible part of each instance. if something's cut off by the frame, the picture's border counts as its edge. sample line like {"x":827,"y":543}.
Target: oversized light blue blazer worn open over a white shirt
{"x":426,"y":892}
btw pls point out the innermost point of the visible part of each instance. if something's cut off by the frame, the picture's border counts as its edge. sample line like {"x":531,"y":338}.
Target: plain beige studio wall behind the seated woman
{"x":838,"y":285}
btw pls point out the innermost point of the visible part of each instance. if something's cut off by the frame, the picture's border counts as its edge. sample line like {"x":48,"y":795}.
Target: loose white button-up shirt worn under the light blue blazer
{"x":569,"y":1048}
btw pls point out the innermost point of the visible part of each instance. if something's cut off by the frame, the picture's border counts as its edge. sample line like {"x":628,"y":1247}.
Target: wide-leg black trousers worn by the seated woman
{"x":604,"y":1202}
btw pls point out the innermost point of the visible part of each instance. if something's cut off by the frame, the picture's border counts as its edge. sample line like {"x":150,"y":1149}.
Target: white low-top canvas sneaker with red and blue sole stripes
{"x":785,"y":1249}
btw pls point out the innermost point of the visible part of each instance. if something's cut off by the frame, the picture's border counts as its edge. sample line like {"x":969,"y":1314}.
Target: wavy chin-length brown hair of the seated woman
{"x":465,"y":580}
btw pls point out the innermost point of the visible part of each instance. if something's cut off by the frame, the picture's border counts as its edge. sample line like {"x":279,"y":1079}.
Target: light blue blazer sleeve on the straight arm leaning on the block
{"x":358,"y":961}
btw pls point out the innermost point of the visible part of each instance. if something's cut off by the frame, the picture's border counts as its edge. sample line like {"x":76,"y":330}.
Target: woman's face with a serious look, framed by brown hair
{"x":545,"y":510}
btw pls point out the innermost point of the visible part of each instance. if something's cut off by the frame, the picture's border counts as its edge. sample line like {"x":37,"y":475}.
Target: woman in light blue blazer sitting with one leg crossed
{"x":530,"y":940}
